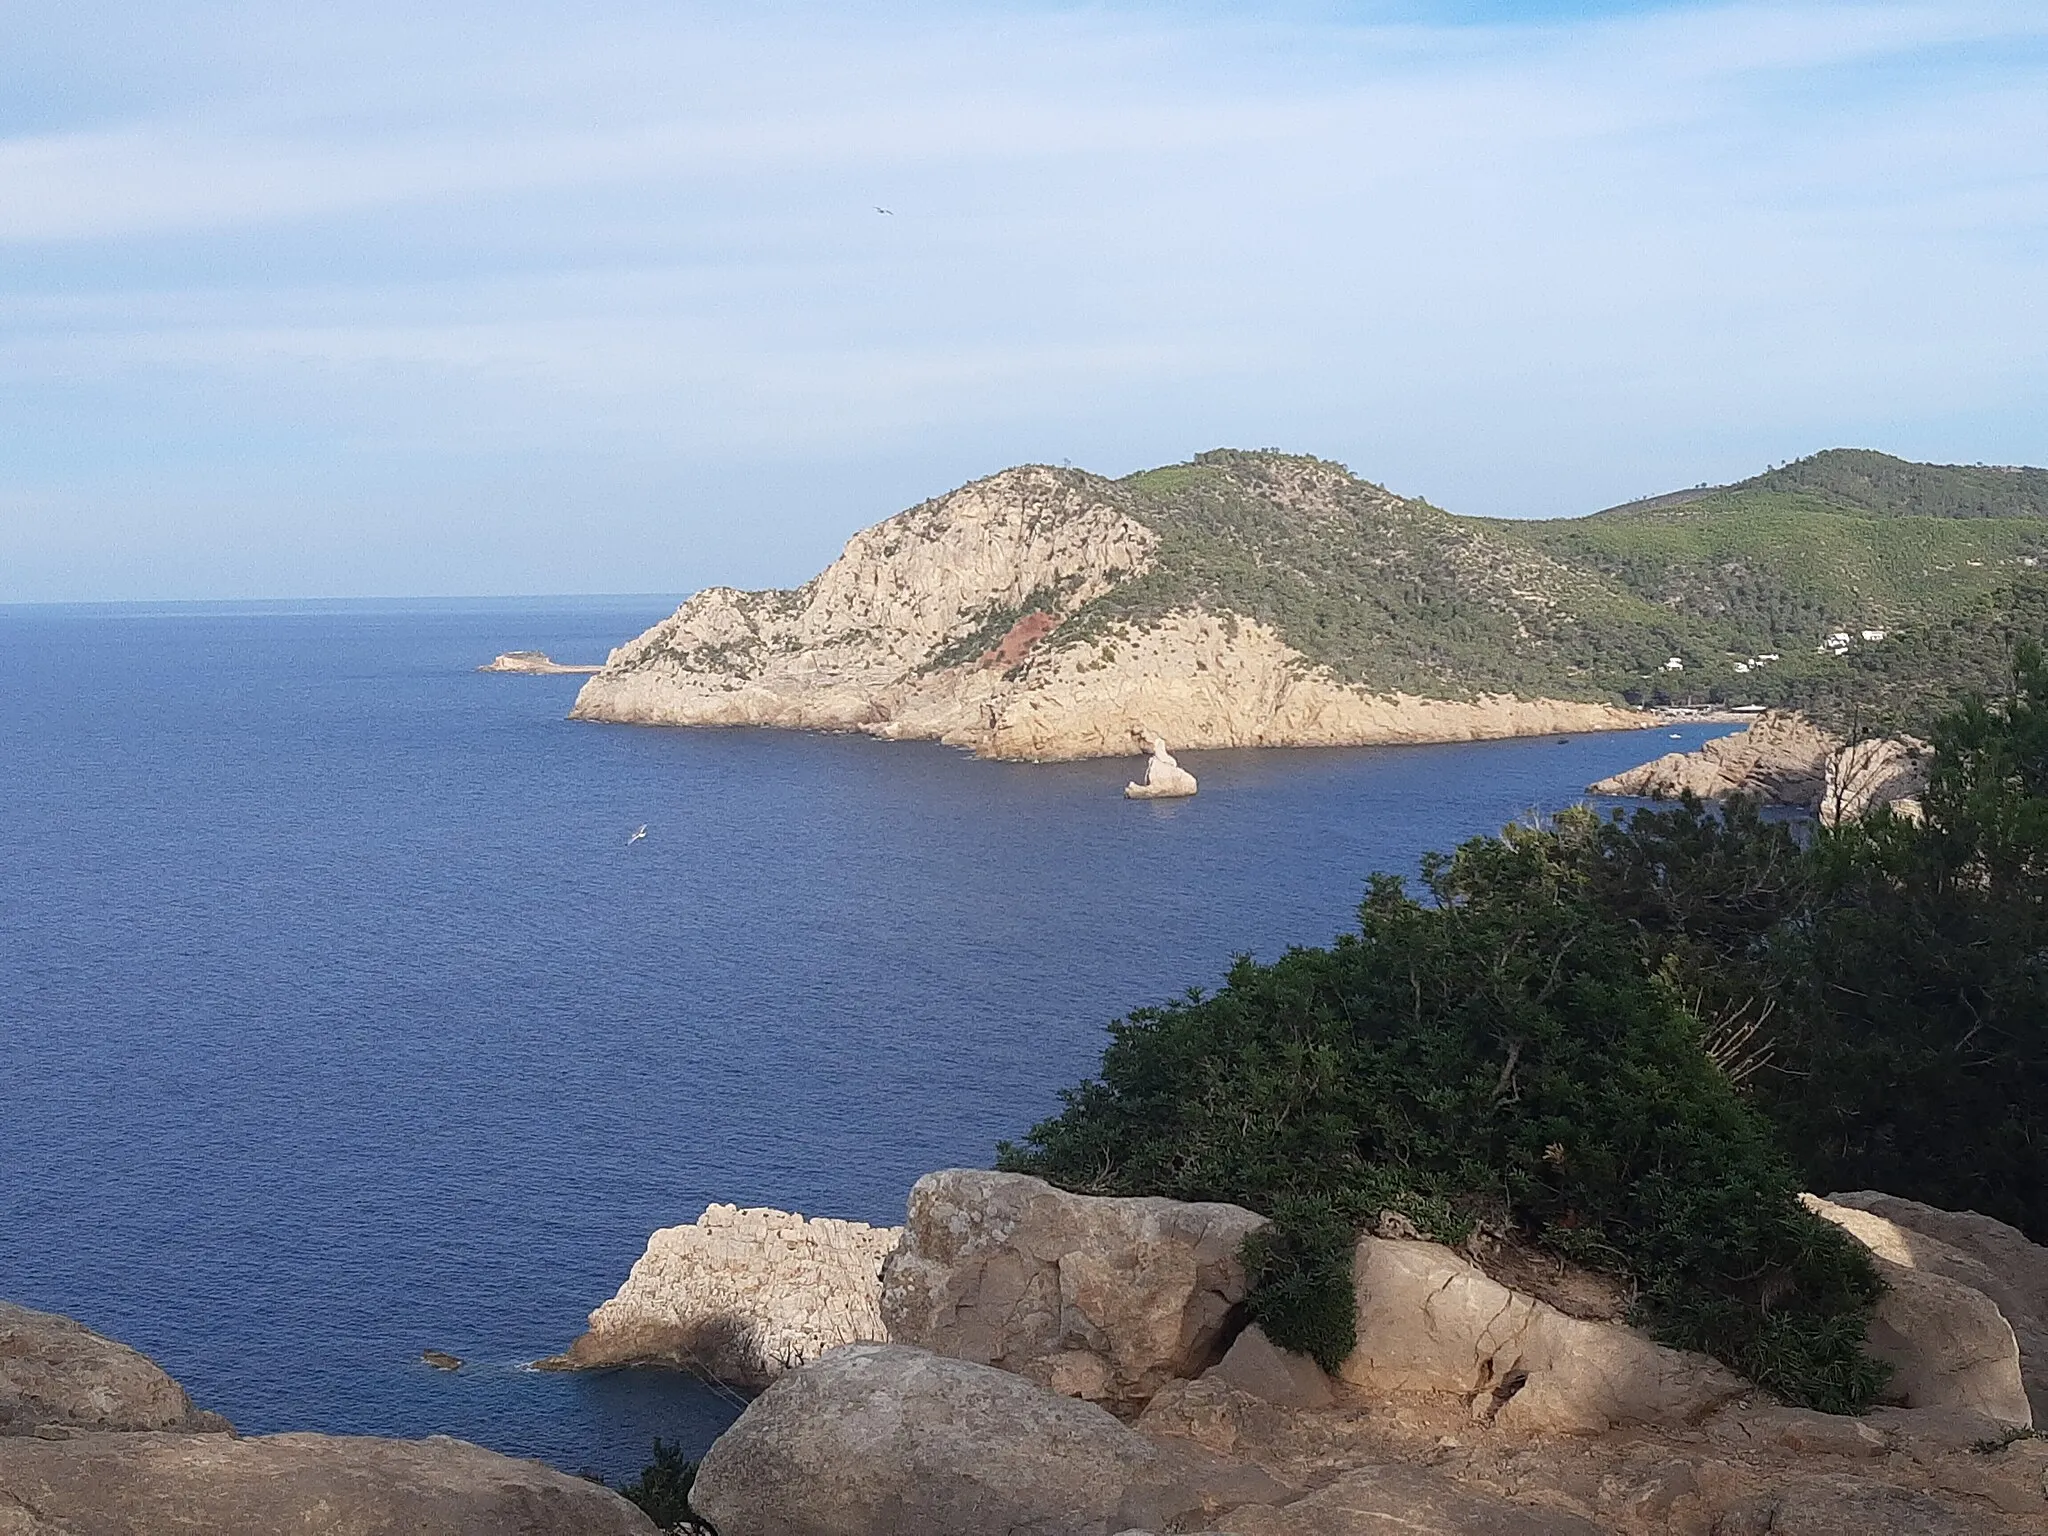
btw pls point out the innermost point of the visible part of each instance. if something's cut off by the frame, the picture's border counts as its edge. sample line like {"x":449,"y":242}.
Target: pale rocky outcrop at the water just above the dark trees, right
{"x":1787,"y":761}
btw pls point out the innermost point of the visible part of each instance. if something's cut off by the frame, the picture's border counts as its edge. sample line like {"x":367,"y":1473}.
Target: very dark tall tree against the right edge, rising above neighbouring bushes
{"x":1916,"y":1046}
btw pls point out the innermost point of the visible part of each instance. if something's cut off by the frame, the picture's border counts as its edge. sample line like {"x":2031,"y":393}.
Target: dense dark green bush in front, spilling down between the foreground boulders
{"x":1500,"y":1056}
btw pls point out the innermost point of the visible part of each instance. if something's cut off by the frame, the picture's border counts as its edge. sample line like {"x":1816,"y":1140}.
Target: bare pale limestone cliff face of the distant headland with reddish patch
{"x":951,"y":624}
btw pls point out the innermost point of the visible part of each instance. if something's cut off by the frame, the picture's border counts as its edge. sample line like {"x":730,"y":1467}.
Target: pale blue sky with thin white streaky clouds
{"x":515,"y":298}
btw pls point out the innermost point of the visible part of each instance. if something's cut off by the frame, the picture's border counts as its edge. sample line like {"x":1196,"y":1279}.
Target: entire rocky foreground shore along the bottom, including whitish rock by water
{"x":1072,"y":1365}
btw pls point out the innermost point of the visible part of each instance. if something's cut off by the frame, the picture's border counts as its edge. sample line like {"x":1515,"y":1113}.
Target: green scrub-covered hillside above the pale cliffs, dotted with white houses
{"x":1394,"y":593}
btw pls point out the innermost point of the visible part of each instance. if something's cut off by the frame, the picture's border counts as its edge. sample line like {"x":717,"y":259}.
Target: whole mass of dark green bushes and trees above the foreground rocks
{"x":1629,"y":1043}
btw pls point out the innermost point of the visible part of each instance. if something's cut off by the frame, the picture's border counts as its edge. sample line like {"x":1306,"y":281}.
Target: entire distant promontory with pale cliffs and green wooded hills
{"x":1263,"y":599}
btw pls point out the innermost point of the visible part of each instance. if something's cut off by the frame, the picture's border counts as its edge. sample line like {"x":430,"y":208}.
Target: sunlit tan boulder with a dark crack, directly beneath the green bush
{"x":1433,"y":1322}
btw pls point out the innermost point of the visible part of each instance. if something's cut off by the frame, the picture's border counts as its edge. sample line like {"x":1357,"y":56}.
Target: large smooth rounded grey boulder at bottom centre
{"x":884,"y":1441}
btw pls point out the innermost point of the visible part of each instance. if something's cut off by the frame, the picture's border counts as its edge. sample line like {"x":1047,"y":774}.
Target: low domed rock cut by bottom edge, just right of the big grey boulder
{"x":1402,"y":1502}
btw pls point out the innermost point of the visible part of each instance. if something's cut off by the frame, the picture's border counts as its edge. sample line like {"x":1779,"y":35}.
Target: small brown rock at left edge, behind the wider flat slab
{"x":60,"y":1373}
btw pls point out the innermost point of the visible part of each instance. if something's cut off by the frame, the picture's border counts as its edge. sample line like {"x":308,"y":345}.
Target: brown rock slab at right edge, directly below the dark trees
{"x":1981,"y":1252}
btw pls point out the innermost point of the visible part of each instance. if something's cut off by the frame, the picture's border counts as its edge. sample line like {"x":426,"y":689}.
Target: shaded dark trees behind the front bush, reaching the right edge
{"x":1897,"y":972}
